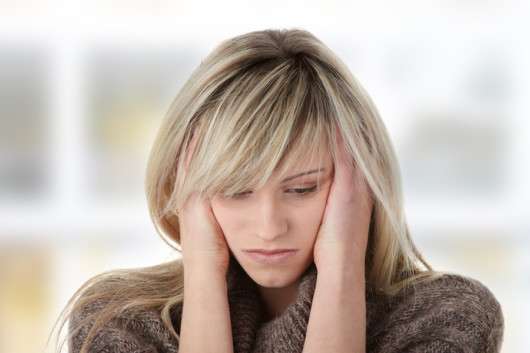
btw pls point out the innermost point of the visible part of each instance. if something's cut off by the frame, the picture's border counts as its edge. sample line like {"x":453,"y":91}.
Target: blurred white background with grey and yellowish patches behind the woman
{"x":85,"y":84}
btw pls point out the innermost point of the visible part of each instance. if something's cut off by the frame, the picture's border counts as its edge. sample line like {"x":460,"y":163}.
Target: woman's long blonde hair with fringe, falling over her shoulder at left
{"x":256,"y":104}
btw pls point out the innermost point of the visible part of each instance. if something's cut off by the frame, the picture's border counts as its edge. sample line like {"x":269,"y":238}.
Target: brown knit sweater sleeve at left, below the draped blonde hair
{"x":139,"y":331}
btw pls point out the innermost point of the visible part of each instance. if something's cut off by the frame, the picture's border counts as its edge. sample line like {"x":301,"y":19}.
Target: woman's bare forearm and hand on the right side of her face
{"x":337,"y":321}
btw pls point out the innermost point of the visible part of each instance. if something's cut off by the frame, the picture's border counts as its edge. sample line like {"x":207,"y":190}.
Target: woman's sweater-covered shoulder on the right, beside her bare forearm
{"x":443,"y":313}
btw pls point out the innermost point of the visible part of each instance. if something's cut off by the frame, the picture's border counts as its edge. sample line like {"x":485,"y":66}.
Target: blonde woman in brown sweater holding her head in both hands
{"x":275,"y":175}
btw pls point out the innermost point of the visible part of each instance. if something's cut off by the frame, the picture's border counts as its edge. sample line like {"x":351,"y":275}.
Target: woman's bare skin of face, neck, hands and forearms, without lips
{"x":328,"y":226}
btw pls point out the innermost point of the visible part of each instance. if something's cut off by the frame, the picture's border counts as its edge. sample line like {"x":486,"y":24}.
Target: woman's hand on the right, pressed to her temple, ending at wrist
{"x":343,"y":235}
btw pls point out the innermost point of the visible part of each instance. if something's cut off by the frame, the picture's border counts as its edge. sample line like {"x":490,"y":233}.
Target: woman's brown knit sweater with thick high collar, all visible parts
{"x":447,"y":314}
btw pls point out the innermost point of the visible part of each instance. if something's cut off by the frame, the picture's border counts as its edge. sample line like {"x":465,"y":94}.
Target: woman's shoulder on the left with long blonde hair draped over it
{"x":104,"y":320}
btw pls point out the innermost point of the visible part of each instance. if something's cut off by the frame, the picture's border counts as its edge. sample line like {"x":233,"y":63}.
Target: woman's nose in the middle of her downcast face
{"x":271,"y":221}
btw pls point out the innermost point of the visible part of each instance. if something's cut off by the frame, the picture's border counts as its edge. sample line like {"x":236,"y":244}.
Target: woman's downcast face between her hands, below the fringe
{"x":271,"y":230}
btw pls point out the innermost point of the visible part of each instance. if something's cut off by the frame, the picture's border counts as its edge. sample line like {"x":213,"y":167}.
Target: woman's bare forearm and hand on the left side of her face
{"x":205,"y":325}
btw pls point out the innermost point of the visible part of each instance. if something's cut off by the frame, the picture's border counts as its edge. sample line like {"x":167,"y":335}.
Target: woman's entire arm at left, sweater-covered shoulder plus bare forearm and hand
{"x":205,"y":321}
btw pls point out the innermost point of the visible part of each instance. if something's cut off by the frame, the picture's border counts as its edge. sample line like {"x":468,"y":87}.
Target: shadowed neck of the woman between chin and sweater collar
{"x":277,"y":300}
